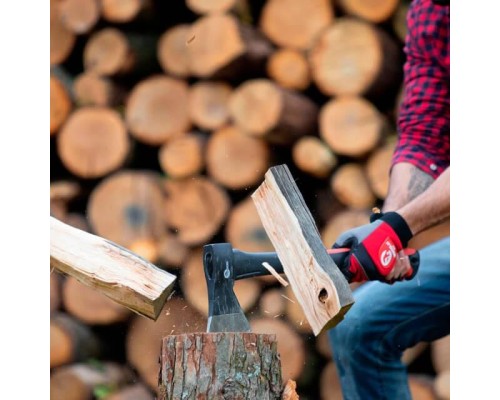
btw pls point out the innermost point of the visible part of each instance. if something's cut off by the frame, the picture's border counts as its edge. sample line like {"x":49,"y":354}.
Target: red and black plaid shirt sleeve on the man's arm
{"x":424,"y":116}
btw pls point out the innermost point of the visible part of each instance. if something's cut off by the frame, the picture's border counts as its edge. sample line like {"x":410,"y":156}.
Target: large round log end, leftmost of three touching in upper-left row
{"x":157,"y":109}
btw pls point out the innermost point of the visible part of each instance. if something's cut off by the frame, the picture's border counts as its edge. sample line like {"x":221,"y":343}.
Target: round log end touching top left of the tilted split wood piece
{"x":236,"y":160}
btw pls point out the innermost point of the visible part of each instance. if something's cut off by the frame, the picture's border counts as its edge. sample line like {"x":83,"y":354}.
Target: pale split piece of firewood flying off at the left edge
{"x":111,"y":269}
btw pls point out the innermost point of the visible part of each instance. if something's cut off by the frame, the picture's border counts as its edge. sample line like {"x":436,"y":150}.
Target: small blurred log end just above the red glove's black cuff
{"x":351,"y":186}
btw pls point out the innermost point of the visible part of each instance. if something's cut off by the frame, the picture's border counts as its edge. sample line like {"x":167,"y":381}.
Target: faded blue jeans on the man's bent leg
{"x":387,"y":319}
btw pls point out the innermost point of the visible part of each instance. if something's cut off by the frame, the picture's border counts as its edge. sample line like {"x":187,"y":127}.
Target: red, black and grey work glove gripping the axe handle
{"x":375,"y":248}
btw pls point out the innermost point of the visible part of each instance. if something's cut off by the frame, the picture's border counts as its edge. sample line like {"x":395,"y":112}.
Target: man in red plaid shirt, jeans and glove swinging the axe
{"x":388,"y":318}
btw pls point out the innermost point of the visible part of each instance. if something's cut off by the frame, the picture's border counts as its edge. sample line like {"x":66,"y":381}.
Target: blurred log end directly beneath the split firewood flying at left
{"x":90,"y":306}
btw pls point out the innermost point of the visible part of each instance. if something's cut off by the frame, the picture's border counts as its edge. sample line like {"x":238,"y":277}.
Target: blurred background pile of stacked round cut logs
{"x":164,"y":117}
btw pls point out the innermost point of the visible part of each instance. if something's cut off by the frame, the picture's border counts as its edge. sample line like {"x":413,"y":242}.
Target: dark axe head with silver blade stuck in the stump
{"x":224,"y":310}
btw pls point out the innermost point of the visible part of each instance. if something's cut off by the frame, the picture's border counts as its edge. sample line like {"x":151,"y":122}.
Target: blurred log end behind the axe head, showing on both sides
{"x":194,"y":285}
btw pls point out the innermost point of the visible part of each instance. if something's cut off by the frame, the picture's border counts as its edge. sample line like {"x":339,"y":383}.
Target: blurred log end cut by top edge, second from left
{"x":123,"y":11}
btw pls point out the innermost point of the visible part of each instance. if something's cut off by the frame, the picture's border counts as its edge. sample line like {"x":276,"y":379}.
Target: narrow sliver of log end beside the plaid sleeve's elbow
{"x":377,"y":168}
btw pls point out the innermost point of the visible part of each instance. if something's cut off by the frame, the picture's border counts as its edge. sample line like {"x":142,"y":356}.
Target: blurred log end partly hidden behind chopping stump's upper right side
{"x":291,"y":346}
